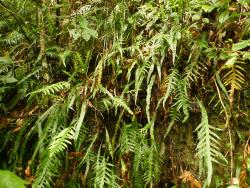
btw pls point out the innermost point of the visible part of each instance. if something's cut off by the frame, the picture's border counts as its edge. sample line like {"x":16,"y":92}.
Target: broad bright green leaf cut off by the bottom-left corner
{"x":10,"y":180}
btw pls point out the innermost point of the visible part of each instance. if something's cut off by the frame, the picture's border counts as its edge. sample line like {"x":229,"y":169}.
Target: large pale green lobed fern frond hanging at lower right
{"x":208,"y":143}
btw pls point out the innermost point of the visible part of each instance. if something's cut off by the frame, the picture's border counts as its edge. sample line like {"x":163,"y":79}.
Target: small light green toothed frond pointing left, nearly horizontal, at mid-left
{"x":52,"y":89}
